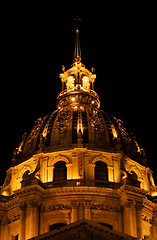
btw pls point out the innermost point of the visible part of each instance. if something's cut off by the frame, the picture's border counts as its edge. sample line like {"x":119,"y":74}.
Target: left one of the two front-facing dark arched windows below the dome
{"x":60,"y":171}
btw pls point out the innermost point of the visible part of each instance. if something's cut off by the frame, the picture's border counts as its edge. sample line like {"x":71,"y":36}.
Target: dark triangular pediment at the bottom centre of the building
{"x":84,"y":230}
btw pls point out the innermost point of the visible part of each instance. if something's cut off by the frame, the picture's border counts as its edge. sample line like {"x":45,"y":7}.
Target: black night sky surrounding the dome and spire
{"x":121,"y":45}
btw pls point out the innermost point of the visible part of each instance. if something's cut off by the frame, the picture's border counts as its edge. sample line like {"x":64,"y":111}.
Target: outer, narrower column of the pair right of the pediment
{"x":139,"y":207}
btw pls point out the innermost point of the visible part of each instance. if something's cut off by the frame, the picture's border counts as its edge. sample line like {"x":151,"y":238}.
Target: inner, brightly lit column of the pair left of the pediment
{"x":32,"y":218}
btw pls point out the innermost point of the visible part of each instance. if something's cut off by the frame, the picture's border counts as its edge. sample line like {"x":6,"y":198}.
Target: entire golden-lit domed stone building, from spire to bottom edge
{"x":78,"y":173}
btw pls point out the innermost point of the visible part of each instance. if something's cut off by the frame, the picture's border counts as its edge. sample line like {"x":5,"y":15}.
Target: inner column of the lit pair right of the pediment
{"x":127,"y":214}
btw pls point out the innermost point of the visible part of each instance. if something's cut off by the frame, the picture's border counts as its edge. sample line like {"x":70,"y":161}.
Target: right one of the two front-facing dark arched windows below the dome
{"x":101,"y":172}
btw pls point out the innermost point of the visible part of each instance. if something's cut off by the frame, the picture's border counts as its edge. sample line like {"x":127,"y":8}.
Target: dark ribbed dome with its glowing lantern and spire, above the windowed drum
{"x":78,"y":120}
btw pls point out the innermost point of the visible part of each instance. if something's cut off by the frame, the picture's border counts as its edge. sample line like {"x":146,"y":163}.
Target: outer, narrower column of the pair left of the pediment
{"x":22,"y":226}
